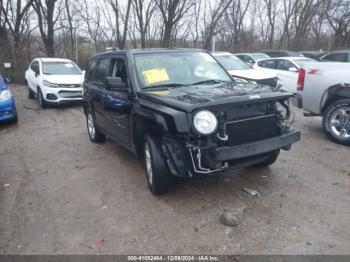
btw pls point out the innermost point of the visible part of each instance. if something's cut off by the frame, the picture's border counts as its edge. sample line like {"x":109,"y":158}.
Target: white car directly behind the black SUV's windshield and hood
{"x":237,"y":68}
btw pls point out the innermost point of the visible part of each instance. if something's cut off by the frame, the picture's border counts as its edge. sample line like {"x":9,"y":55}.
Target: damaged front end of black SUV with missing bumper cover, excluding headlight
{"x":246,"y":134}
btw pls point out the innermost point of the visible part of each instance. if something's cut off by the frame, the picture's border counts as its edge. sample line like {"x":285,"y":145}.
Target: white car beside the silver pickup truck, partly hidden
{"x":286,"y":68}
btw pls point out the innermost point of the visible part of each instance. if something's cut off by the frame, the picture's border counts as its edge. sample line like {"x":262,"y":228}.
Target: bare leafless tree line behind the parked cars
{"x":80,"y":28}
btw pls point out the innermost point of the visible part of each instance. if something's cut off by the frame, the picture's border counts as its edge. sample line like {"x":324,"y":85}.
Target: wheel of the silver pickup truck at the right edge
{"x":336,"y":121}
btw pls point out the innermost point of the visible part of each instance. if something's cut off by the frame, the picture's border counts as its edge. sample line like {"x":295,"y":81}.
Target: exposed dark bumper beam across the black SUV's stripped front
{"x":283,"y":141}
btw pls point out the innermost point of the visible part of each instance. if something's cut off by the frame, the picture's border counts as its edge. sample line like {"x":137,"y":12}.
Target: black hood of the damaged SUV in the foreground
{"x":191,"y":97}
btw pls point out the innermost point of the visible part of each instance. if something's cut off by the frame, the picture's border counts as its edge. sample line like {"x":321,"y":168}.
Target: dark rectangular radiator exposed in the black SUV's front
{"x":251,"y":130}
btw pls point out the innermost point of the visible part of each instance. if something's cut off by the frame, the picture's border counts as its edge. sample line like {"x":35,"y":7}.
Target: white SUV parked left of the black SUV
{"x":54,"y":81}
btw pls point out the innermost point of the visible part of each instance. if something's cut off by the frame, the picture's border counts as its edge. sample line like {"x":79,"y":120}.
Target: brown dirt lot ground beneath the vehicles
{"x":61,"y":194}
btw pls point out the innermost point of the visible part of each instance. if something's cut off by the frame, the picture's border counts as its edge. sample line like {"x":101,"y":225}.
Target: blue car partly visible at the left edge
{"x":7,"y":102}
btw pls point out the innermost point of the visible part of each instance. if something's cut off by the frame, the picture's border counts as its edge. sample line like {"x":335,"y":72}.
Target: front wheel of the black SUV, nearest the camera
{"x":159,"y":178}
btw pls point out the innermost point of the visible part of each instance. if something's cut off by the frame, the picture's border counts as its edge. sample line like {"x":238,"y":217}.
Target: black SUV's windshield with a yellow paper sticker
{"x":178,"y":69}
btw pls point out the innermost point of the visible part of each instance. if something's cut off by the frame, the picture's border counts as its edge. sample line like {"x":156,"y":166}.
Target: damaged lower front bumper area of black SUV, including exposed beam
{"x":193,"y":160}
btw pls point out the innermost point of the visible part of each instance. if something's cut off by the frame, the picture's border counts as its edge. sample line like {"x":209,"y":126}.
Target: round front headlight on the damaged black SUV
{"x":205,"y":122}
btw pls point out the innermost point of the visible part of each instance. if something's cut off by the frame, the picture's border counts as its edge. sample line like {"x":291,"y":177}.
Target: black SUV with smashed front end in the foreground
{"x":181,"y":112}
